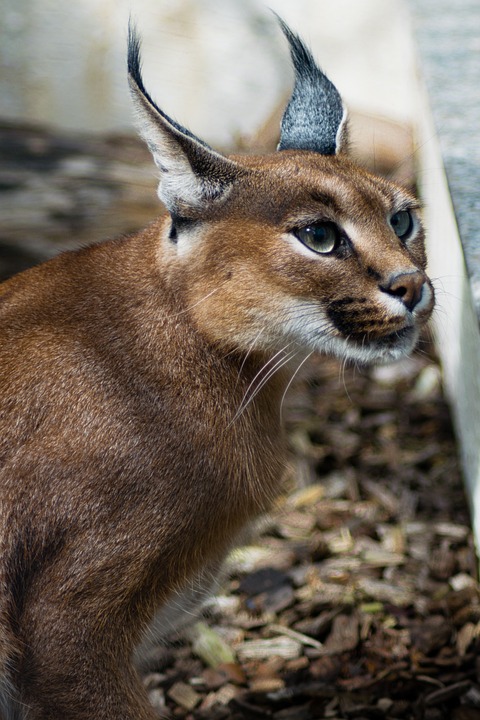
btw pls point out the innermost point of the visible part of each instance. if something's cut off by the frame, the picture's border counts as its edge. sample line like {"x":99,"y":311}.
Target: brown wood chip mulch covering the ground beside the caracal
{"x":359,"y":596}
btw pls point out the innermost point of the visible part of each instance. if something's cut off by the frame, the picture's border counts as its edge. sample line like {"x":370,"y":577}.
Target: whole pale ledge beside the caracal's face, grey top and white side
{"x":448,"y":42}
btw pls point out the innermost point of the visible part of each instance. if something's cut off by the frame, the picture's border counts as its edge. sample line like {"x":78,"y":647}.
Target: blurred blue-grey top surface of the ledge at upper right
{"x":448,"y":41}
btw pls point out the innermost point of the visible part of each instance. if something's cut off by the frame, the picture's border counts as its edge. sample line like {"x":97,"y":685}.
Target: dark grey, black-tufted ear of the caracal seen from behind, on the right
{"x":315,"y":118}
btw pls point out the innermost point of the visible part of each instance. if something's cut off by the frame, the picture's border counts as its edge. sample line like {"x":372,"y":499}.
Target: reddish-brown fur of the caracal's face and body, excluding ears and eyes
{"x":133,"y":444}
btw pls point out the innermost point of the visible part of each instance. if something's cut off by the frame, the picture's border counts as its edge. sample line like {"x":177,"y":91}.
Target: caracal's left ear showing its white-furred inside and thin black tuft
{"x":193,"y":176}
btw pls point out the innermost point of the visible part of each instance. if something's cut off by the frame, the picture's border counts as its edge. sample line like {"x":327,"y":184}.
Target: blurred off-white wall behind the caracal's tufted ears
{"x":218,"y":66}
